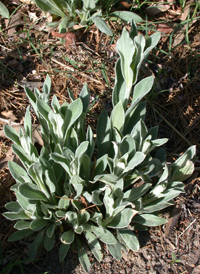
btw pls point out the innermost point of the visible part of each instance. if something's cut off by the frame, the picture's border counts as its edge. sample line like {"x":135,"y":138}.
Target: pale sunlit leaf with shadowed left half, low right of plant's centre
{"x":122,"y":219}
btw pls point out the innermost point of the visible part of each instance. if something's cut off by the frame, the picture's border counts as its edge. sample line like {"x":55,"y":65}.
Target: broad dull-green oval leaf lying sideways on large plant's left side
{"x":32,"y":192}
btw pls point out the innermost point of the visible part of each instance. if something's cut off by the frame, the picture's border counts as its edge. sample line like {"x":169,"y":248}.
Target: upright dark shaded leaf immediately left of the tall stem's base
{"x":103,"y":134}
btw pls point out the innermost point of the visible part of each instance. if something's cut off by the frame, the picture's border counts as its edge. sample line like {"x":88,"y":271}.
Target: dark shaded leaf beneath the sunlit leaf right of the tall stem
{"x":134,"y":117}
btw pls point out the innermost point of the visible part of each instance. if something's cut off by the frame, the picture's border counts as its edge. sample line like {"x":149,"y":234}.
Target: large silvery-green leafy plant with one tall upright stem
{"x":88,"y":191}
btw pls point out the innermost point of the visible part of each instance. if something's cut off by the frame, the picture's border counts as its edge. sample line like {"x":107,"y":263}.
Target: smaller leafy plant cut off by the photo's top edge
{"x":85,"y":12}
